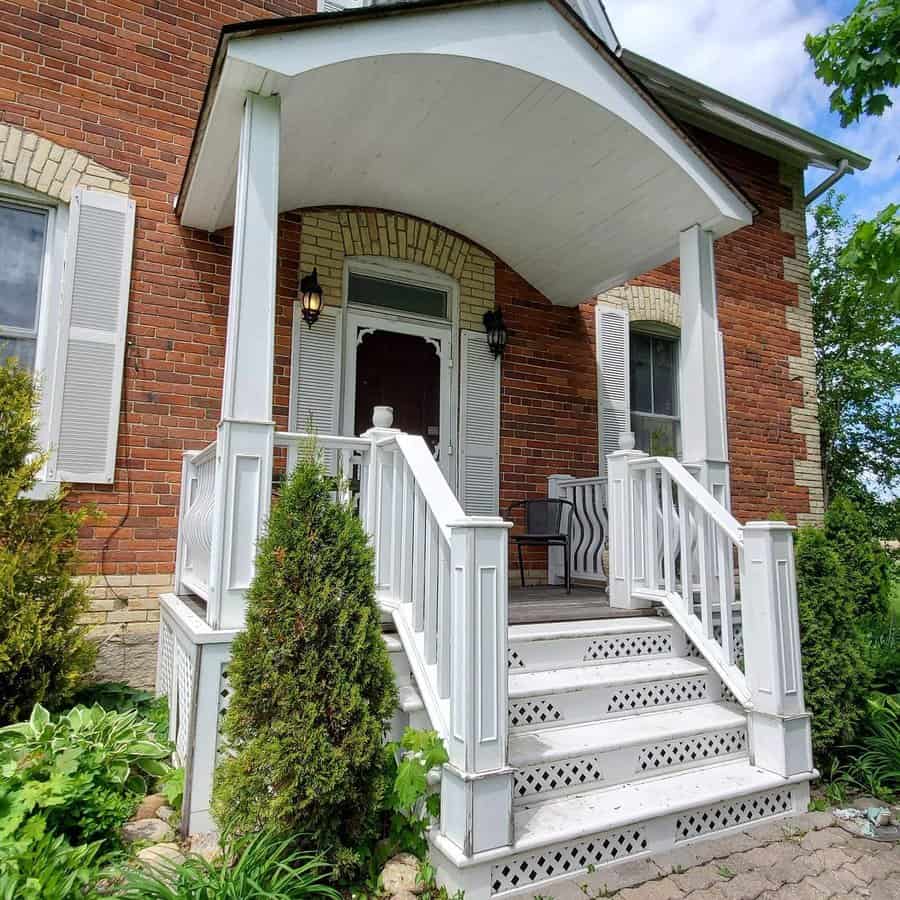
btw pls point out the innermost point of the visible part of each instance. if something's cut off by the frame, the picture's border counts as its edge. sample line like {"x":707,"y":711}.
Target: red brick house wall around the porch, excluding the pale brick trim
{"x":123,"y":81}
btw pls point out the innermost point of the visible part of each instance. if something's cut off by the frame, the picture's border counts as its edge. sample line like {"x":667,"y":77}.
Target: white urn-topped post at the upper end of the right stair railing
{"x":625,"y":537}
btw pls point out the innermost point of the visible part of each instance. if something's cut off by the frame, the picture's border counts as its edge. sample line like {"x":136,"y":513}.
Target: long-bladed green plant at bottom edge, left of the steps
{"x":264,"y":865}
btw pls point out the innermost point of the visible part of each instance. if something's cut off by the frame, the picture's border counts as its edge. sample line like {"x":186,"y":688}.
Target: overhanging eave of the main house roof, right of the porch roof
{"x":699,"y":104}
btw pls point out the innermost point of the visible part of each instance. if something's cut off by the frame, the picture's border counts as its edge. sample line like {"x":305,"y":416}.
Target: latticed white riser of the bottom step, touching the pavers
{"x":532,"y":871}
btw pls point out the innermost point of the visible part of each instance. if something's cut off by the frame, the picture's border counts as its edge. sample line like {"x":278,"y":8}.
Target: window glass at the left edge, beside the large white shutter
{"x":23,"y":240}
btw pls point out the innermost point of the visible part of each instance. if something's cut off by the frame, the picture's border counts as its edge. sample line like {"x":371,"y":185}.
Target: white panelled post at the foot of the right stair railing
{"x":779,"y":723}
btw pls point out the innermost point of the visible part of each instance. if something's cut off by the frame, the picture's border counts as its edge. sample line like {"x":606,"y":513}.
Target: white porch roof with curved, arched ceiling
{"x":508,"y":122}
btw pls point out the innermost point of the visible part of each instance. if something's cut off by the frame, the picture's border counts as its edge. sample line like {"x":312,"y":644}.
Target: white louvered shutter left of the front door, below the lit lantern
{"x":316,"y":373}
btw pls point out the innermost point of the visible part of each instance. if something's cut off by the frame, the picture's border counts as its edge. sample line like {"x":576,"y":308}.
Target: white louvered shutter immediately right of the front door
{"x":479,"y":427}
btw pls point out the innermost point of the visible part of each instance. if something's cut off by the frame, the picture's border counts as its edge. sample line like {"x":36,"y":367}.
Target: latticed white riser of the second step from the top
{"x":592,"y":704}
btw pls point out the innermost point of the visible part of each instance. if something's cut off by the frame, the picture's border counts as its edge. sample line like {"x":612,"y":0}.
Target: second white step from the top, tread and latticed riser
{"x":592,"y":693}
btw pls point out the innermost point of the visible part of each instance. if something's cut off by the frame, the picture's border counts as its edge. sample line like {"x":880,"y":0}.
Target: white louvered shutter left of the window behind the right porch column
{"x":612,"y":378}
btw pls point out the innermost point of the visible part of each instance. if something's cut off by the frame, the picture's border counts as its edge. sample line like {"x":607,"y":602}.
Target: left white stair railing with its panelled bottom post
{"x":443,"y":576}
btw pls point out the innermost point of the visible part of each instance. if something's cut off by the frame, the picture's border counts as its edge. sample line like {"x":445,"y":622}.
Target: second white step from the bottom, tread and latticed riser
{"x":552,"y":762}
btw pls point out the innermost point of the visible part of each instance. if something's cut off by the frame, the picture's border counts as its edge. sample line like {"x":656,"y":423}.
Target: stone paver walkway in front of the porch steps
{"x":807,"y":857}
